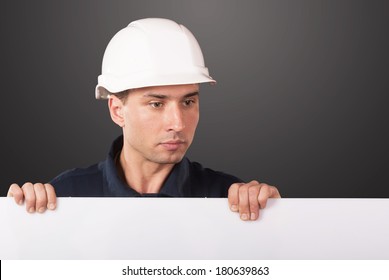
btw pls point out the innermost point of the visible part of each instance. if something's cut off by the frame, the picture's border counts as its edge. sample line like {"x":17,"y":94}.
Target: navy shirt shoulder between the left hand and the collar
{"x":79,"y":181}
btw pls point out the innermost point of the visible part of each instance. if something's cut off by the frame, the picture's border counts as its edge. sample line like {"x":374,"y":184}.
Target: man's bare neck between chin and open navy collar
{"x":141,"y":175}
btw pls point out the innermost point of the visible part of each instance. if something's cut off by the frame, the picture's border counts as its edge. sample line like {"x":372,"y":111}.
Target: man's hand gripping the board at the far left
{"x":38,"y":197}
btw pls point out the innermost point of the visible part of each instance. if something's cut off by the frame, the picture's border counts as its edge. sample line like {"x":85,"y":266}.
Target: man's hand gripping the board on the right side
{"x":248,"y":199}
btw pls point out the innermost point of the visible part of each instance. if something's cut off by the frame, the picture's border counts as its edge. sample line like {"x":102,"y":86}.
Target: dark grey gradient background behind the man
{"x":301,"y":99}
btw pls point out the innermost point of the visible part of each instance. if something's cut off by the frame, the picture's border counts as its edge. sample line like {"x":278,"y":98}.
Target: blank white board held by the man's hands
{"x":195,"y":228}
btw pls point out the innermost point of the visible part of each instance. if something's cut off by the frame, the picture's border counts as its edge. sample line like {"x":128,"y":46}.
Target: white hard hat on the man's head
{"x":151,"y":52}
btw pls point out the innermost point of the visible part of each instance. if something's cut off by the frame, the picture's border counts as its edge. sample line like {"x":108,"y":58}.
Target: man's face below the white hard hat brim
{"x":160,"y":122}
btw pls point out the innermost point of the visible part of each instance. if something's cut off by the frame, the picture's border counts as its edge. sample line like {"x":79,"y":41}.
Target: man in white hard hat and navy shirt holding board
{"x":150,"y":75}
